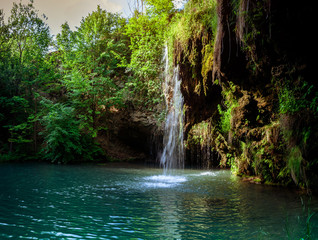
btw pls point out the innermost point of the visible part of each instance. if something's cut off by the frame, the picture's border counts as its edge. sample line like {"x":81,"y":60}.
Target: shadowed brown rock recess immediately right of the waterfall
{"x":200,"y":103}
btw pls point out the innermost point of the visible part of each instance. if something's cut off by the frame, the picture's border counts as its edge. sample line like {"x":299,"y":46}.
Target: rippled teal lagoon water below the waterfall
{"x":42,"y":201}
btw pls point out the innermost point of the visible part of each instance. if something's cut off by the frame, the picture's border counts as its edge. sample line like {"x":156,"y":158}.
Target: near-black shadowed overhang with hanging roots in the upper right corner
{"x":255,"y":36}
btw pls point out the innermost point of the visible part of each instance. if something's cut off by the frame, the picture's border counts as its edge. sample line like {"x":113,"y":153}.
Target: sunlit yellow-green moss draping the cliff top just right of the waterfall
{"x":195,"y":23}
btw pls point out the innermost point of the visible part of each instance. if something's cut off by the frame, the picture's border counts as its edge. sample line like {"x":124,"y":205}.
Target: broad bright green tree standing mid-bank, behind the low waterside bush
{"x":92,"y":56}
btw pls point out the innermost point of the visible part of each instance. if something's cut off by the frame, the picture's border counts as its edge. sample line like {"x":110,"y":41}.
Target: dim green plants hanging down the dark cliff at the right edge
{"x":298,"y":105}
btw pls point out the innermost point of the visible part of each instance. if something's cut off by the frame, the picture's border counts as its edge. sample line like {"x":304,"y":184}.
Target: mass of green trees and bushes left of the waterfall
{"x":84,"y":78}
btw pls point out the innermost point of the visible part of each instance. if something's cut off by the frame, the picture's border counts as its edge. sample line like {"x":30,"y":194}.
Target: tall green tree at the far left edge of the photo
{"x":24,"y":43}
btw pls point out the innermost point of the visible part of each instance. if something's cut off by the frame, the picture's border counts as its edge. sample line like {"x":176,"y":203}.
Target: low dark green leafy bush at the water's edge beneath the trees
{"x":63,"y":140}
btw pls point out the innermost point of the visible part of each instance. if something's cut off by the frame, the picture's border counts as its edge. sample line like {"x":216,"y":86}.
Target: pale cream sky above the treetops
{"x":72,"y":11}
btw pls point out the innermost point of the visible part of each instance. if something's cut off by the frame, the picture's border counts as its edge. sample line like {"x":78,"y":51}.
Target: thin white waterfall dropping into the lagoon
{"x":173,"y":152}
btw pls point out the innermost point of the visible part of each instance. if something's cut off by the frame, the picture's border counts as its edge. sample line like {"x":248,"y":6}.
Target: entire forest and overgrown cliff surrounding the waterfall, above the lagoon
{"x":95,"y":94}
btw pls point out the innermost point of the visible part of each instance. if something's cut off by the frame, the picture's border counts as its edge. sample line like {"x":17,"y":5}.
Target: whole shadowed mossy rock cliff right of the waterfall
{"x":257,"y":50}
